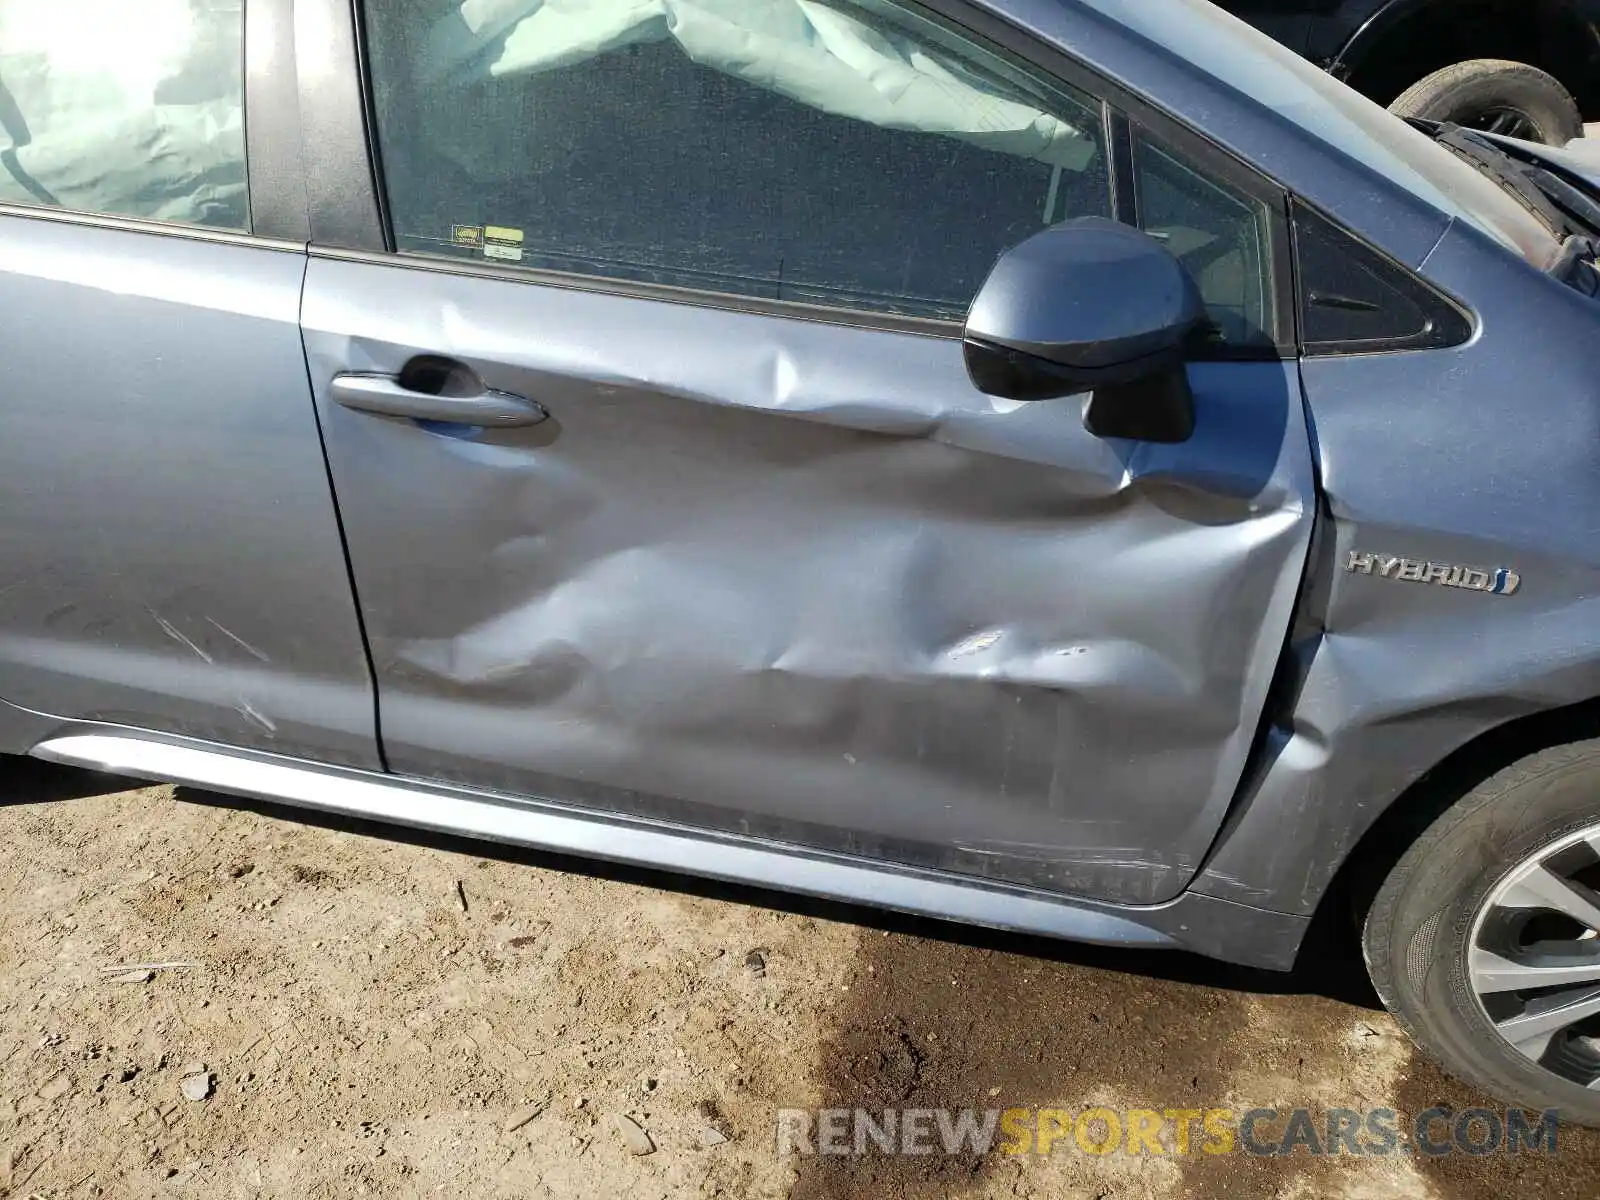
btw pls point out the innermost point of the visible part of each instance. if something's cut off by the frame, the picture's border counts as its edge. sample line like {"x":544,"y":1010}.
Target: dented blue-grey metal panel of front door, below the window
{"x":806,"y":583}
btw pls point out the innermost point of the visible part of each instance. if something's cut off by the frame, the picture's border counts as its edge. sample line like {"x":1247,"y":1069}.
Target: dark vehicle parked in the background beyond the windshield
{"x":1519,"y":68}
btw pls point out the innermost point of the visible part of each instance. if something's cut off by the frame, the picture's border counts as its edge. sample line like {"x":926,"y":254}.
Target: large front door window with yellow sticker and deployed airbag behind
{"x":844,"y":153}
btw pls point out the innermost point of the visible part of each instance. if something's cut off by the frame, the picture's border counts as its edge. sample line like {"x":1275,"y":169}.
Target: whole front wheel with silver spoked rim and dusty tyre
{"x":1486,"y":938}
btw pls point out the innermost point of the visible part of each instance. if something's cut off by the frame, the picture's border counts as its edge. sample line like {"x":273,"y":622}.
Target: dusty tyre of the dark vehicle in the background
{"x":1500,"y":97}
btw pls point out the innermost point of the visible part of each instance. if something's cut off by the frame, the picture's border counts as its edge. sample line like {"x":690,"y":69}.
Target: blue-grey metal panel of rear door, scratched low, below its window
{"x":172,"y":554}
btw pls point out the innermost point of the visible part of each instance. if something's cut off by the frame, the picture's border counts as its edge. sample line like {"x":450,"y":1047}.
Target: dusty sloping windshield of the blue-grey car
{"x":1249,"y":62}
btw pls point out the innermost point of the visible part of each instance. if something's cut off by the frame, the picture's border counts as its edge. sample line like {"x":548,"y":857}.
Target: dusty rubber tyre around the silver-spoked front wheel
{"x":1425,"y":919}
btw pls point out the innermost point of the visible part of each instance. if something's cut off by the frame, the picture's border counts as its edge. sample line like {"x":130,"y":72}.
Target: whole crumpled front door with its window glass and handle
{"x":668,"y":494}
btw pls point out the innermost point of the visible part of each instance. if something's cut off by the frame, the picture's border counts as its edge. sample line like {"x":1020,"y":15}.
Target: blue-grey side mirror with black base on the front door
{"x":1090,"y":306}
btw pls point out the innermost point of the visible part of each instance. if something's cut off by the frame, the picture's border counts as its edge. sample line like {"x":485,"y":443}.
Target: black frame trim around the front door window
{"x":350,"y":220}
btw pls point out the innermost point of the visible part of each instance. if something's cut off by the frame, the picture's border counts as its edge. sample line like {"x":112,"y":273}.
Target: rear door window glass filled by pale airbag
{"x":130,"y":108}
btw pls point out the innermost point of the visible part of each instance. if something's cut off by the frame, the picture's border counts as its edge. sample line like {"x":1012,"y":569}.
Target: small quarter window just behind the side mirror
{"x":1218,"y":234}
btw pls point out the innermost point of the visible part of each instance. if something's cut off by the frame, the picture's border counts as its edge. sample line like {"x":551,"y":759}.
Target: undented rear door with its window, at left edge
{"x":170,"y":554}
